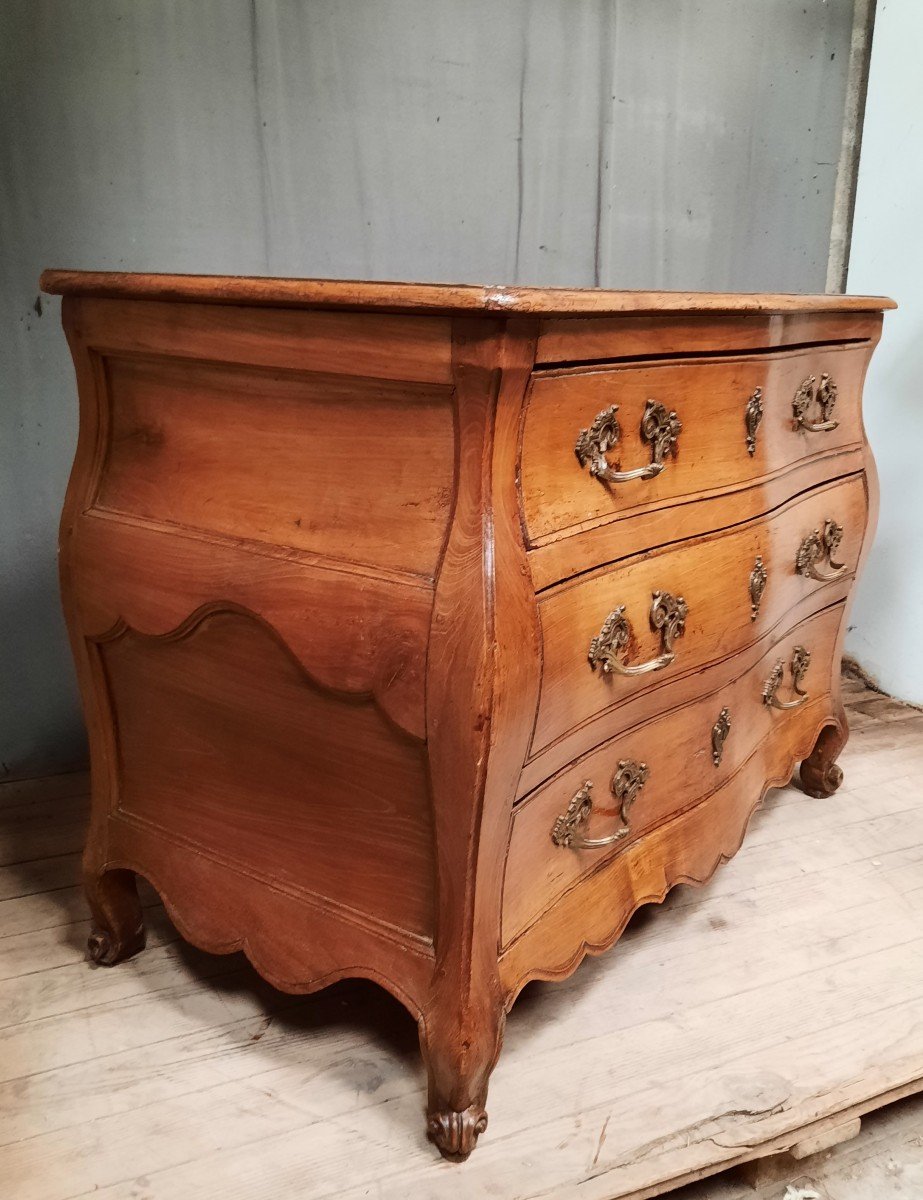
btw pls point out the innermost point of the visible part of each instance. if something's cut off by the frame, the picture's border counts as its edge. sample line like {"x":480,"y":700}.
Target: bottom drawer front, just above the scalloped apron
{"x":636,"y":782}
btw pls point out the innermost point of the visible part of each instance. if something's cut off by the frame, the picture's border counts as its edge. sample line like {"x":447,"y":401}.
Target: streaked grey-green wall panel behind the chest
{"x":625,"y":143}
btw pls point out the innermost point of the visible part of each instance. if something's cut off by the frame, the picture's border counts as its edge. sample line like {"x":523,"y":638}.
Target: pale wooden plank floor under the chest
{"x":726,"y":1024}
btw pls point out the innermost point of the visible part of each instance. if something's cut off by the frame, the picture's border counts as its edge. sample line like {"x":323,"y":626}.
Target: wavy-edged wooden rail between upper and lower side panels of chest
{"x":351,"y":631}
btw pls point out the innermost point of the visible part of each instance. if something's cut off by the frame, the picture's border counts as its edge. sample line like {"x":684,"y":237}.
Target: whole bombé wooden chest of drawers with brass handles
{"x":424,"y":633}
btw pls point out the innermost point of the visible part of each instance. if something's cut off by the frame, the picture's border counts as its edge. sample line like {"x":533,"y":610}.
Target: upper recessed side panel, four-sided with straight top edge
{"x":355,"y":470}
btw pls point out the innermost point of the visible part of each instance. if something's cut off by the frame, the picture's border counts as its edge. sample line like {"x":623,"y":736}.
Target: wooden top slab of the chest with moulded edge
{"x":436,"y":297}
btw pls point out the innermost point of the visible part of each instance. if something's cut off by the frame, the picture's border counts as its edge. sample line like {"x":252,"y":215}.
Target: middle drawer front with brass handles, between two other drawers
{"x":621,"y":632}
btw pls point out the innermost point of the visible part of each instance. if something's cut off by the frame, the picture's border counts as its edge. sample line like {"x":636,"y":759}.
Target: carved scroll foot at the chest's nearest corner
{"x":460,"y":1054}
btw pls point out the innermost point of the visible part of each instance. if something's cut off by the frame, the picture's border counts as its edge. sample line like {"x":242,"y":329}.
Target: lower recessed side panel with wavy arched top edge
{"x":224,"y":745}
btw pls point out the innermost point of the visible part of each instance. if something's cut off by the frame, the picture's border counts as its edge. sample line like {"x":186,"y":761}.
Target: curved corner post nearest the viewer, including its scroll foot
{"x":482,"y":689}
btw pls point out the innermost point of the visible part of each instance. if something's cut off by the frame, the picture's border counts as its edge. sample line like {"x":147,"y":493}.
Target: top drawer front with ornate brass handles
{"x":602,"y":443}
